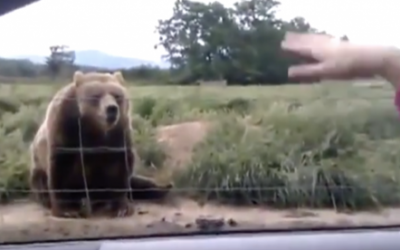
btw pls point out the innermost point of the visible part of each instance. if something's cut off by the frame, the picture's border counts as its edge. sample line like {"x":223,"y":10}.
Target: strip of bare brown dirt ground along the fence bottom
{"x":26,"y":221}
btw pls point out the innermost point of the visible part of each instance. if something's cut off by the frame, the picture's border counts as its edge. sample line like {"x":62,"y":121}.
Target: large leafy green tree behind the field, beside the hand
{"x":240,"y":44}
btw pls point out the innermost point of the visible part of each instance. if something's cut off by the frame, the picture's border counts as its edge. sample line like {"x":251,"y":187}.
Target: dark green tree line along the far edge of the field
{"x":203,"y":42}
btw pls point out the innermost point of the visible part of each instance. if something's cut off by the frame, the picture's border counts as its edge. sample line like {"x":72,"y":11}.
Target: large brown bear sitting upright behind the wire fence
{"x":83,"y":150}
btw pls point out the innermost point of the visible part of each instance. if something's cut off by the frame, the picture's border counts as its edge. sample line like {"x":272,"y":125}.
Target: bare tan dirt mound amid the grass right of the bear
{"x":179,"y":141}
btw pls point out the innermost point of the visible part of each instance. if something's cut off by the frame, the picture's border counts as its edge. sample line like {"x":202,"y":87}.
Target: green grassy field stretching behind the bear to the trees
{"x":330,"y":145}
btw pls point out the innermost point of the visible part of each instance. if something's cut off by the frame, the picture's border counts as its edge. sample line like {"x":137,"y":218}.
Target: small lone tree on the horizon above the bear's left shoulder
{"x":60,"y":58}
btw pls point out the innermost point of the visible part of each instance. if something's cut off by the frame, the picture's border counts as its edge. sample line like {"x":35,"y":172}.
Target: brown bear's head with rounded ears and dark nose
{"x":103,"y":98}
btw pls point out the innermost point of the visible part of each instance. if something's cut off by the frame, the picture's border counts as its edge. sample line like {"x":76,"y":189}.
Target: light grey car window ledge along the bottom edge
{"x":382,"y":238}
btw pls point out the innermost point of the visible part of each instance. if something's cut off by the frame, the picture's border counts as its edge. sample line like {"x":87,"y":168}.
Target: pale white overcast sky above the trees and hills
{"x":127,"y":27}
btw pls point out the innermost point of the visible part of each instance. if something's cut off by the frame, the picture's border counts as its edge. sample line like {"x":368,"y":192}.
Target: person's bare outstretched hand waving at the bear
{"x":335,"y":59}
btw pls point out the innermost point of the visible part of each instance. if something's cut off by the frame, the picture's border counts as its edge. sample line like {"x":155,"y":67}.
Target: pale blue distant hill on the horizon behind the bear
{"x":99,"y":59}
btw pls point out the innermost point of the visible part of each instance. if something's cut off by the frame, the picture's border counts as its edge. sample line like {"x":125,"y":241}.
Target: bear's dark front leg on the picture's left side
{"x":64,"y":202}
